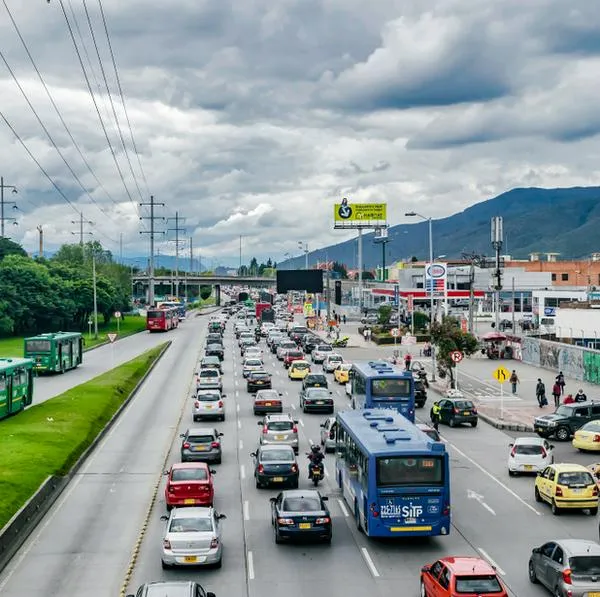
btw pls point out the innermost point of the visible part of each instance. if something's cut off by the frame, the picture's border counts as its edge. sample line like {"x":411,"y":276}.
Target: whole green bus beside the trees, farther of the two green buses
{"x":55,"y":352}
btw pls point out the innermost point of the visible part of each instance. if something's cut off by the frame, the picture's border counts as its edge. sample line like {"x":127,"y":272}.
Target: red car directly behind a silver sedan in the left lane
{"x":189,"y":484}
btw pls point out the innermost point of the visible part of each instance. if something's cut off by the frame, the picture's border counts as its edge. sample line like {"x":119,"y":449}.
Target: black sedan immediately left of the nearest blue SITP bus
{"x":301,"y":514}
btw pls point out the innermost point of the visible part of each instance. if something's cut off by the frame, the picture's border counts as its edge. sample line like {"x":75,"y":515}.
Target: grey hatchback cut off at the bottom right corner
{"x":567,"y":567}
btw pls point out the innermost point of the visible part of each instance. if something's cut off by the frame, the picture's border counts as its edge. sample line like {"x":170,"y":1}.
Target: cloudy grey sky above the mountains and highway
{"x":252,"y":117}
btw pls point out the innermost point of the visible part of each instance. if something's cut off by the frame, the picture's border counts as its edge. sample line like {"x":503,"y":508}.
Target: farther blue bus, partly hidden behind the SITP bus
{"x":379,"y":384}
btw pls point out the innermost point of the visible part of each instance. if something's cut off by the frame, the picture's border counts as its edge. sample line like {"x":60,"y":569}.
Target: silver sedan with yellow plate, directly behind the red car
{"x":192,"y":538}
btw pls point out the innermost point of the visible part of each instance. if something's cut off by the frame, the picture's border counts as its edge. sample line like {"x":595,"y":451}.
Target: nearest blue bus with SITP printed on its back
{"x":394,"y":478}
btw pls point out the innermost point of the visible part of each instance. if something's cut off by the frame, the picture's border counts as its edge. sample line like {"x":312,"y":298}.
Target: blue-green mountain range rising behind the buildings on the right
{"x":564,"y":221}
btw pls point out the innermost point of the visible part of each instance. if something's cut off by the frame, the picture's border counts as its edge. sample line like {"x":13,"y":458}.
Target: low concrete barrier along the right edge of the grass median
{"x":24,"y":522}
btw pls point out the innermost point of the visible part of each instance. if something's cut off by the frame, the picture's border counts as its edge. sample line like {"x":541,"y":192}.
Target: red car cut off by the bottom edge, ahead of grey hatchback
{"x":461,"y":576}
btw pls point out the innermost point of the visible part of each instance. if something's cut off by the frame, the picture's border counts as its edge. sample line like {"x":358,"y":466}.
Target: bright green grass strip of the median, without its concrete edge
{"x":47,"y":439}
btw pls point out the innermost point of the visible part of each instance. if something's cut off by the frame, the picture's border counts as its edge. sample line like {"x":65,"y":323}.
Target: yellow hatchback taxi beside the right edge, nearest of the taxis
{"x":565,"y":486}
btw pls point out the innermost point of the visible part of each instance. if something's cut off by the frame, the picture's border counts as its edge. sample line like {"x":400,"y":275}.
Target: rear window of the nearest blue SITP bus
{"x":410,"y":470}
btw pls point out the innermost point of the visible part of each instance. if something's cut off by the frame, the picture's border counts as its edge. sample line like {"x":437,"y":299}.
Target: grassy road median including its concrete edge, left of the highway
{"x":42,"y":448}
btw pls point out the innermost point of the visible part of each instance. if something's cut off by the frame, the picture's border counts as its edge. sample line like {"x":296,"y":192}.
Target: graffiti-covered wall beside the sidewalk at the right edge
{"x":576,"y":362}
